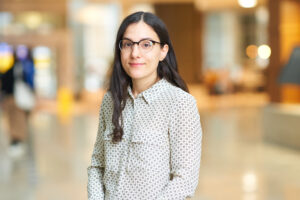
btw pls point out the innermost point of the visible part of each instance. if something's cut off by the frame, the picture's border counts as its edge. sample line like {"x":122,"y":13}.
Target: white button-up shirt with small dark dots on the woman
{"x":159,"y":155}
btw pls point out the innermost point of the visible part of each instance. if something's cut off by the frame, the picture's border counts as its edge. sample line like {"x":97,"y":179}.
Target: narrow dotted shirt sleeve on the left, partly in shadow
{"x":95,"y":186}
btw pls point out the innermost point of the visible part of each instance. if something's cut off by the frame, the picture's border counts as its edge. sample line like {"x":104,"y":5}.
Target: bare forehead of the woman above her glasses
{"x":140,"y":30}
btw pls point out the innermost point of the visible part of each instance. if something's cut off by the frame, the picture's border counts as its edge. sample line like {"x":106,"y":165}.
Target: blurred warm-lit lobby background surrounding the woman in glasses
{"x":240,"y":58}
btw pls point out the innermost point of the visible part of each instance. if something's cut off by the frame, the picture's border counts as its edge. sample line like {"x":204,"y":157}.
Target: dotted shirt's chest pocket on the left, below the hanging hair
{"x":112,"y":152}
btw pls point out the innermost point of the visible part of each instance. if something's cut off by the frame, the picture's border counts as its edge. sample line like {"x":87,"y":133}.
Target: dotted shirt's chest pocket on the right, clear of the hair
{"x":149,"y":150}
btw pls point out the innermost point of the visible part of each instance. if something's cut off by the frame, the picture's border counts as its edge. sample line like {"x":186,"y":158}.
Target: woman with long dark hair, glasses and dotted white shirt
{"x":148,"y":145}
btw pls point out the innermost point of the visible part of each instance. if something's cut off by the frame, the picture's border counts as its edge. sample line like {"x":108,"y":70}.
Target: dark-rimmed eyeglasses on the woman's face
{"x":145,"y":45}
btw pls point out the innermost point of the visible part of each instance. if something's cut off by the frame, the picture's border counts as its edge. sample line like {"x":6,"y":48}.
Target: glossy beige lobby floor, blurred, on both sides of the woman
{"x":236,"y":163}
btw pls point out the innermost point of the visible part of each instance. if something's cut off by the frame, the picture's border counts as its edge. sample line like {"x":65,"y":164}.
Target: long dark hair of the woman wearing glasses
{"x":119,"y":80}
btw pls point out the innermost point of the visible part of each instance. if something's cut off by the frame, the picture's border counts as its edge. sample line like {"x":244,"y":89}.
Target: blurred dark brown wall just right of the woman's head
{"x":184,"y":24}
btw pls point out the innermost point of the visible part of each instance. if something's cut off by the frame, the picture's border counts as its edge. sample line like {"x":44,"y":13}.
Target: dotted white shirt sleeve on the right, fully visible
{"x":185,"y":134}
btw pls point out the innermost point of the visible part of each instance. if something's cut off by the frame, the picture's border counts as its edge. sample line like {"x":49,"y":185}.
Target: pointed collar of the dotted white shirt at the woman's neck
{"x":151,"y":93}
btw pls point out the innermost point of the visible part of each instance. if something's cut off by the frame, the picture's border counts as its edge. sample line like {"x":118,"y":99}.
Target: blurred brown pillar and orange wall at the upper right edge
{"x":284,"y":34}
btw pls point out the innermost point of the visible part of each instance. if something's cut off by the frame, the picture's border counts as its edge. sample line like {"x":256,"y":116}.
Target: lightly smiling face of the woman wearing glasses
{"x":139,"y":64}
